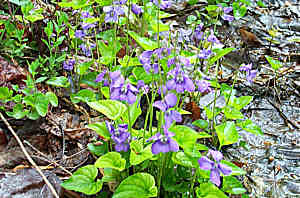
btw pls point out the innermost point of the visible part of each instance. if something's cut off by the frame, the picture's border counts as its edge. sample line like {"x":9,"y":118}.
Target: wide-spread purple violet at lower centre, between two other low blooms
{"x":163,"y":143}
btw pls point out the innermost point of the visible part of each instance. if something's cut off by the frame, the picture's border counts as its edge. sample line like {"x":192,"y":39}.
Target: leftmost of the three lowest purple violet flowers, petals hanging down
{"x":120,"y":136}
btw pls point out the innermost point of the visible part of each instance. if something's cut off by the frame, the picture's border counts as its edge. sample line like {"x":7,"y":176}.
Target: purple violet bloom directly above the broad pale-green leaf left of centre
{"x":120,"y":89}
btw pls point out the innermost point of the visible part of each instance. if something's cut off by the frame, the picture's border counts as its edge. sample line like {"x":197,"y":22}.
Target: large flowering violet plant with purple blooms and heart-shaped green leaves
{"x":162,"y":156}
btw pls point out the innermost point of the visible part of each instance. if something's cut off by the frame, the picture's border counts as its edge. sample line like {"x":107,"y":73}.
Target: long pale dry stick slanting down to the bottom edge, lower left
{"x":29,"y":158}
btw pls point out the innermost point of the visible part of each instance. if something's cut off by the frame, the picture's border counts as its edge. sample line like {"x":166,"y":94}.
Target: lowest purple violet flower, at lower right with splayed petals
{"x":215,"y":167}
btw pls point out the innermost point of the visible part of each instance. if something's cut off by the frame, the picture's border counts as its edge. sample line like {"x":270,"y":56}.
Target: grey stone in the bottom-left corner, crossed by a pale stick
{"x":28,"y":183}
